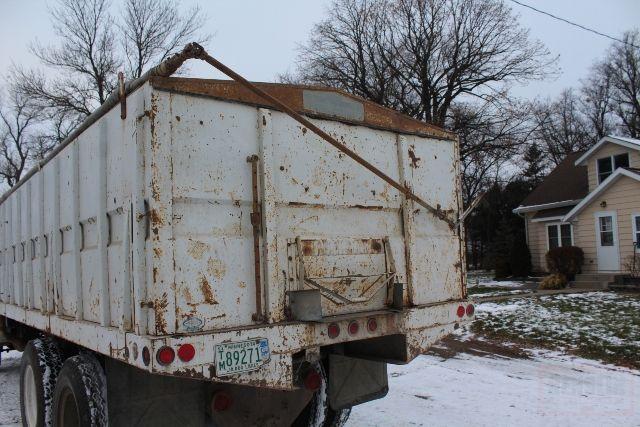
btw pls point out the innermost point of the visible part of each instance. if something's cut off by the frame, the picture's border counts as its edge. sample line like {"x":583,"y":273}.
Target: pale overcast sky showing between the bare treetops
{"x":258,"y":38}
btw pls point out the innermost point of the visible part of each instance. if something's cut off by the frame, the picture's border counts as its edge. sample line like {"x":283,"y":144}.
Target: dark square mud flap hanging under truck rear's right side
{"x":353,"y":381}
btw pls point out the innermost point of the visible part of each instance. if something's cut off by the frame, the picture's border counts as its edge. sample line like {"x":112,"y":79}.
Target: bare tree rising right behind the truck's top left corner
{"x":154,"y":29}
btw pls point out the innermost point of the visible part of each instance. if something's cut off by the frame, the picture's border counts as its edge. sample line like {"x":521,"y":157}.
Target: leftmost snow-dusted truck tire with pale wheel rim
{"x":39,"y":367}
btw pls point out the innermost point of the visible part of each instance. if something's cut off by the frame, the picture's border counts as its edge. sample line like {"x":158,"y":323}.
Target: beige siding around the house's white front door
{"x":623,"y":197}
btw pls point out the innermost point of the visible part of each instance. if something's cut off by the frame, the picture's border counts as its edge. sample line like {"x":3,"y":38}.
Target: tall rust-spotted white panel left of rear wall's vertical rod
{"x":212,"y":197}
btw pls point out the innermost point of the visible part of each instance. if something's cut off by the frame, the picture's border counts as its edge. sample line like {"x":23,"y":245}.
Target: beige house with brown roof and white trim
{"x":590,"y":200}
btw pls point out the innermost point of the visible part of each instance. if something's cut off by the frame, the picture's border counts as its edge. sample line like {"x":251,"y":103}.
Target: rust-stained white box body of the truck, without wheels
{"x":139,"y":233}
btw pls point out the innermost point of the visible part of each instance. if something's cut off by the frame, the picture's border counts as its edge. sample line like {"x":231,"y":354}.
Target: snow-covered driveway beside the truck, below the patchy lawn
{"x":548,"y":389}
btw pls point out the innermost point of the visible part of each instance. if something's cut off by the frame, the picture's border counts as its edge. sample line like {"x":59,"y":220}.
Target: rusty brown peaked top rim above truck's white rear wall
{"x":314,"y":101}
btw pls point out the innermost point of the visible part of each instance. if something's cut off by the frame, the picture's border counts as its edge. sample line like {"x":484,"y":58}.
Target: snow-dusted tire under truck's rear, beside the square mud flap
{"x":318,"y":413}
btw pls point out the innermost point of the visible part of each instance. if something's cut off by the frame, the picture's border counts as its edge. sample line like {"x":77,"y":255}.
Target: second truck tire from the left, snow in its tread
{"x":80,"y":395}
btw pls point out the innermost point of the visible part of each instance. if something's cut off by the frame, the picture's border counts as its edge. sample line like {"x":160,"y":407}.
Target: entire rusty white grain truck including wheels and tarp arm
{"x":194,"y":254}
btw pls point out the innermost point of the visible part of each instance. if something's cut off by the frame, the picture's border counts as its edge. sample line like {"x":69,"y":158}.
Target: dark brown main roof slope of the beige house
{"x":566,"y":185}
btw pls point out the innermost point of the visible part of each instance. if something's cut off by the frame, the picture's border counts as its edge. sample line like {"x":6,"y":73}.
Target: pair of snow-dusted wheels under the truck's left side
{"x":66,"y":394}
